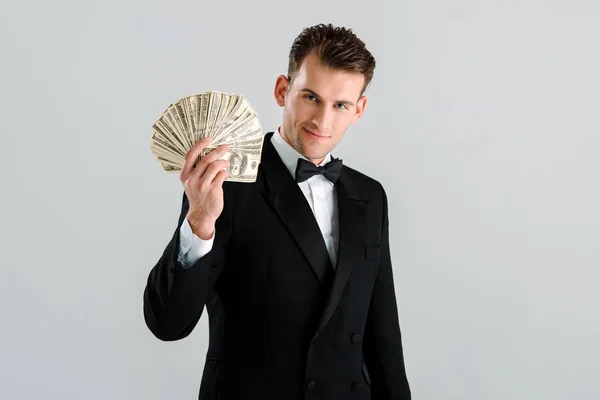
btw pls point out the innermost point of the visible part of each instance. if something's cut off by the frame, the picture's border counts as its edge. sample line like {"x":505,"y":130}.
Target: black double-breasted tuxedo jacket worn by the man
{"x":284,"y":324}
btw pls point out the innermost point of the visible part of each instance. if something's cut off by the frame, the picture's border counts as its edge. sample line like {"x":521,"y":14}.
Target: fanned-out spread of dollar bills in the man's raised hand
{"x":226,"y":118}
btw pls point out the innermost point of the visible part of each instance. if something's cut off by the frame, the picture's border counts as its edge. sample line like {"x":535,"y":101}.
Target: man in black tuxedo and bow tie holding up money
{"x":294,"y":269}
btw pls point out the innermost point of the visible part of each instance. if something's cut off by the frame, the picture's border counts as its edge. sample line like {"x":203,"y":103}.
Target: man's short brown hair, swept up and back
{"x":336,"y":47}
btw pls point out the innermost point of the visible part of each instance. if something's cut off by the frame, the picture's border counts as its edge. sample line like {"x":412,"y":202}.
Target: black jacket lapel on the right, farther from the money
{"x":352,"y":219}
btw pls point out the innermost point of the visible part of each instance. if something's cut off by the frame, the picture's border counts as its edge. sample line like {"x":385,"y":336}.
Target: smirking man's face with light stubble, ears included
{"x":319,"y":105}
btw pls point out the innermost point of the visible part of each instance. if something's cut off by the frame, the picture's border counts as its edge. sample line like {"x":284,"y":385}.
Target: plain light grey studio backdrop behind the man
{"x":482,"y":123}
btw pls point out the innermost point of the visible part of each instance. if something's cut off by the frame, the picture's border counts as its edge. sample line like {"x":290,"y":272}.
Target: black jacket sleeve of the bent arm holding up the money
{"x":175,"y":294}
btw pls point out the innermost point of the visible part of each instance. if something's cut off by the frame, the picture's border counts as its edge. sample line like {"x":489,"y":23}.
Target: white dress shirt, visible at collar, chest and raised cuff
{"x":320,"y":194}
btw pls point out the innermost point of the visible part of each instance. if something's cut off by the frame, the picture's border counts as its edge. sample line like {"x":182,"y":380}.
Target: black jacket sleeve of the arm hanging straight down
{"x":382,"y":345}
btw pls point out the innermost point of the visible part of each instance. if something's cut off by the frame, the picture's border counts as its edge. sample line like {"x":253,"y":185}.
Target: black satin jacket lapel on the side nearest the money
{"x":286,"y":199}
